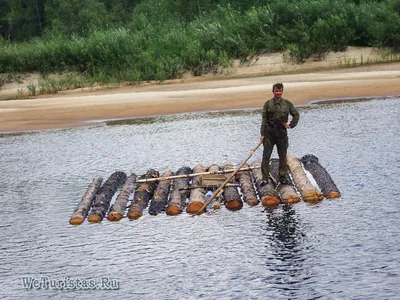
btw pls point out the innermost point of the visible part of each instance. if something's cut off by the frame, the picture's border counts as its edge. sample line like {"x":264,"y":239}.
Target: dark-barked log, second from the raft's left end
{"x":103,"y":198}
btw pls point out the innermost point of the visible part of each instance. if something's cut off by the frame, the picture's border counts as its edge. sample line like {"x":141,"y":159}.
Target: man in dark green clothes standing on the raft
{"x":274,"y":131}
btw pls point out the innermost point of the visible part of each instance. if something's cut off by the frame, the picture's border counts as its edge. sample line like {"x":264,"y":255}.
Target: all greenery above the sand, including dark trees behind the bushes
{"x":117,"y":41}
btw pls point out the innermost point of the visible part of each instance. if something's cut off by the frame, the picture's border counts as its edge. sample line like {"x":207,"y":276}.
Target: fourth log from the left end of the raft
{"x":143,"y":193}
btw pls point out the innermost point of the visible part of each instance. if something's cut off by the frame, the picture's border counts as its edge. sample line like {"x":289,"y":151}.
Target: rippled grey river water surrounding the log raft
{"x":346,"y":248}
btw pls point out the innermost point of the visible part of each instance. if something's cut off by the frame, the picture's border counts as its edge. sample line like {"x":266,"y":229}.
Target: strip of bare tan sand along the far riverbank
{"x":247,"y":87}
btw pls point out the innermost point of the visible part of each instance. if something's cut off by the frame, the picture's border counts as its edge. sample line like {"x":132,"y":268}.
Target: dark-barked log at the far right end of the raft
{"x":321,"y":176}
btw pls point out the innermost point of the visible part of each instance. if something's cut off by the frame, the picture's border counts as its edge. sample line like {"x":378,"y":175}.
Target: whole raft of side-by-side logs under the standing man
{"x":186,"y":184}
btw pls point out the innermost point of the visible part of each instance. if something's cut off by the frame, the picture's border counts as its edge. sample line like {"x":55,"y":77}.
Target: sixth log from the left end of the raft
{"x":179,"y":192}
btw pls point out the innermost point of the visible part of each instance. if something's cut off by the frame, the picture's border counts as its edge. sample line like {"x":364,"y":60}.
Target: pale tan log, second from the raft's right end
{"x":307,"y":191}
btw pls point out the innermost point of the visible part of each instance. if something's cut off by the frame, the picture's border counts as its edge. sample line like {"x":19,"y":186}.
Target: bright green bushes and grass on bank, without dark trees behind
{"x":156,"y":45}
